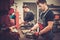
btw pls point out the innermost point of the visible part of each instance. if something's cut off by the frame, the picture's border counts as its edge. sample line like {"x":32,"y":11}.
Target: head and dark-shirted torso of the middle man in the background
{"x":29,"y":15}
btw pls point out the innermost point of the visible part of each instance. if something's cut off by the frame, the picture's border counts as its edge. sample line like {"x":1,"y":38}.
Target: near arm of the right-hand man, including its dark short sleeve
{"x":50,"y":18}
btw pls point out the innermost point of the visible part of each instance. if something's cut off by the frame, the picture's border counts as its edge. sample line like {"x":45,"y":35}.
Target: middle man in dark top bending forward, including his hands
{"x":29,"y":16}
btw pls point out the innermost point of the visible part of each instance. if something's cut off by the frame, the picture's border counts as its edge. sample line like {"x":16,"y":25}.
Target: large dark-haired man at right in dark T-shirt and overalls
{"x":47,"y":17}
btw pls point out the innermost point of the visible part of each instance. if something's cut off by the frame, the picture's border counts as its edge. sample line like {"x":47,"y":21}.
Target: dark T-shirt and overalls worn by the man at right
{"x":45,"y":17}
